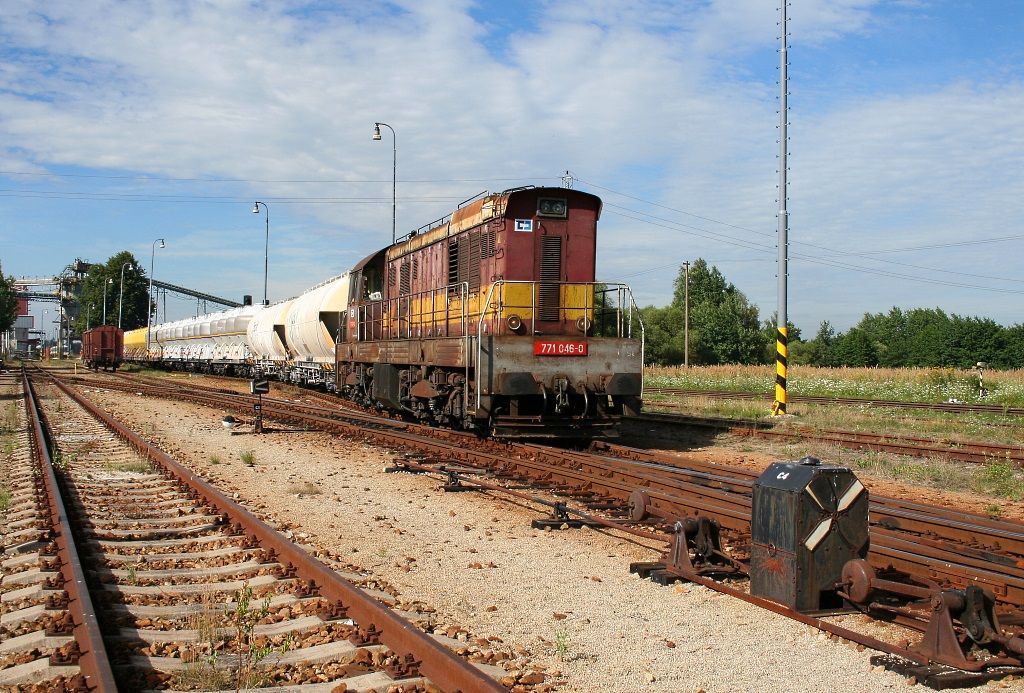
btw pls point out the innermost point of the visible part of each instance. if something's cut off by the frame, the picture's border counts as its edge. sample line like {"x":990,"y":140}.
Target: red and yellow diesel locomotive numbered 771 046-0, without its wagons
{"x":492,"y":320}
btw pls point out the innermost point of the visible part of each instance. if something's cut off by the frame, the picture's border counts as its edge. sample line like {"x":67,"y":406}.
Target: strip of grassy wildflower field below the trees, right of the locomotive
{"x":919,"y":385}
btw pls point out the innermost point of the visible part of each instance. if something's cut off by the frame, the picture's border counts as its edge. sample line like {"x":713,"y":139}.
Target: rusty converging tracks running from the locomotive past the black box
{"x":928,"y":541}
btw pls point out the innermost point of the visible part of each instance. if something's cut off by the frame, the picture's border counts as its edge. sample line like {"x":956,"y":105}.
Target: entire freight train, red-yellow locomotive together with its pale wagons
{"x":489,"y":319}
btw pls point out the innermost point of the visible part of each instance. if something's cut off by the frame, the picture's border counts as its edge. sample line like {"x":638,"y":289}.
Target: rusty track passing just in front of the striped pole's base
{"x":972,"y":452}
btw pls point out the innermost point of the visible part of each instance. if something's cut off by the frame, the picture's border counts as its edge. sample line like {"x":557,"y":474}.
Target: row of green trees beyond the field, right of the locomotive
{"x":726,"y":328}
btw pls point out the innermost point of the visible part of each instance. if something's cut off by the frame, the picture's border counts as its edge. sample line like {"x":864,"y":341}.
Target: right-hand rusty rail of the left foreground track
{"x":437,"y":663}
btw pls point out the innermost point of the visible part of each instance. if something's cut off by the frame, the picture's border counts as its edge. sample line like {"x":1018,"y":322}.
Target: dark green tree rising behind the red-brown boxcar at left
{"x":136,"y":294}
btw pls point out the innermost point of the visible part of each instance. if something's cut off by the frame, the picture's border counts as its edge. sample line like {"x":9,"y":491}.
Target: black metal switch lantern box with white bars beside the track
{"x":808,"y":521}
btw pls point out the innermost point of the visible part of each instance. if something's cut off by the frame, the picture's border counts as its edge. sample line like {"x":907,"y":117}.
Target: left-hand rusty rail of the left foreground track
{"x":94,"y":663}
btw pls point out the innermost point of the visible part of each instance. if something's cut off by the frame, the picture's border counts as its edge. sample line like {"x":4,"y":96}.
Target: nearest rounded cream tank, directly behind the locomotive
{"x":314,"y":323}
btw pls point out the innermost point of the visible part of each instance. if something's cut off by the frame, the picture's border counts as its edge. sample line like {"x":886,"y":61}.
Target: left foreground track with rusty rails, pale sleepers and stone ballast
{"x":193,"y":590}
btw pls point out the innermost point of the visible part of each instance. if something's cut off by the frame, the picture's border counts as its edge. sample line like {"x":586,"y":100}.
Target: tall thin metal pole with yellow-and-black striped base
{"x":782,"y":338}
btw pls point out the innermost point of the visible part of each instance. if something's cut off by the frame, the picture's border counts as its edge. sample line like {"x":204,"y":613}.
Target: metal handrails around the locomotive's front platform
{"x":624,"y":324}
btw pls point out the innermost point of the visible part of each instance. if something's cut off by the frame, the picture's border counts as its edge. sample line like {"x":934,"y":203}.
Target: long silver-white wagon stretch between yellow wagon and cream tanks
{"x":211,"y":343}
